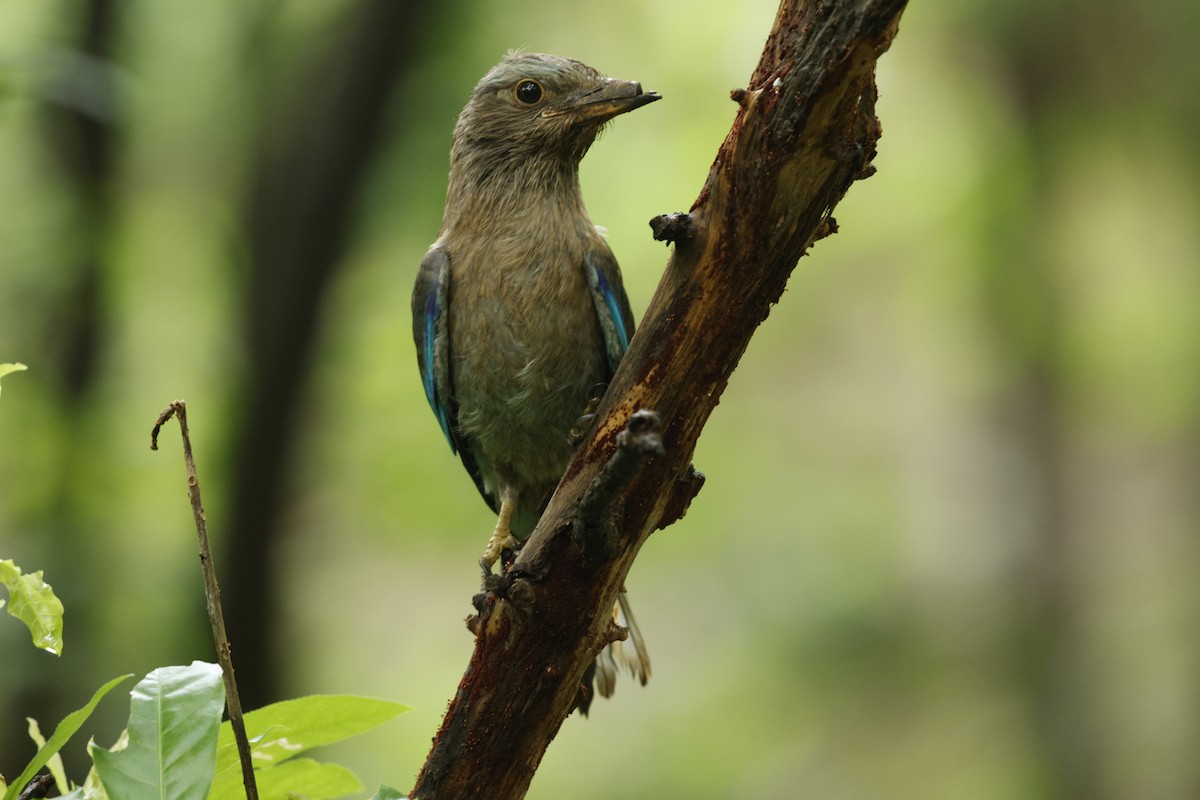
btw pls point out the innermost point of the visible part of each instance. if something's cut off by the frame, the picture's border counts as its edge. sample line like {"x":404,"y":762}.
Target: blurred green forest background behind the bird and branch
{"x":949,"y":543}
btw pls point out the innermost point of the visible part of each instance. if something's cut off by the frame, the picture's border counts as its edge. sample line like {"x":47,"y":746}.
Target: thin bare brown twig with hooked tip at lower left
{"x":212,"y":594}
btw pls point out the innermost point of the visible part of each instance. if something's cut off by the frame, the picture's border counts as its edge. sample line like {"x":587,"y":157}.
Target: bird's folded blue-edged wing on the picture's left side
{"x":431,"y":332}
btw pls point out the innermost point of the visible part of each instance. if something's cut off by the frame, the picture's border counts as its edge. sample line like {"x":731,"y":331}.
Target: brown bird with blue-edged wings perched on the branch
{"x":520,"y":314}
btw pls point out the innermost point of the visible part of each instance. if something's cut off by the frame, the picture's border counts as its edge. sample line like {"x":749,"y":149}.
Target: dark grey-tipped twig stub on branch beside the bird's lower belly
{"x":595,"y":531}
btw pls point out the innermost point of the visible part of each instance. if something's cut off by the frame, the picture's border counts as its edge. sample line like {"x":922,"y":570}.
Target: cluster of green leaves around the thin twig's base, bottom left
{"x":176,"y":747}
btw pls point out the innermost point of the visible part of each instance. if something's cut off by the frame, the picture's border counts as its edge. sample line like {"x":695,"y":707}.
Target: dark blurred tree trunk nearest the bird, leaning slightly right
{"x":314,"y":158}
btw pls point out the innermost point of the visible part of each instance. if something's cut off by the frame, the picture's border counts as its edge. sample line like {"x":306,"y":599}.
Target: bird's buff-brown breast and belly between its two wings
{"x":529,"y":352}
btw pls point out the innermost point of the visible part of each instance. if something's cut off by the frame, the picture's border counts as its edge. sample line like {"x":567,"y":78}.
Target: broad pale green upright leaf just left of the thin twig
{"x":175,"y":720}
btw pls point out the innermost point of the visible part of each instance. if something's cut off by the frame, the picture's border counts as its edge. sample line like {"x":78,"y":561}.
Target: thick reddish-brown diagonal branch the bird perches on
{"x":807,"y":131}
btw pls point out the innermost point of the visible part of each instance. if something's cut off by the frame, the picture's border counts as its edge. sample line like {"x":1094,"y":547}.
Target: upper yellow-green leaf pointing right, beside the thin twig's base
{"x":286,"y":730}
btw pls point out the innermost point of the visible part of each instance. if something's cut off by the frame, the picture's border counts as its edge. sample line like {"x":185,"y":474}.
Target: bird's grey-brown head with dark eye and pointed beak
{"x":532,"y":105}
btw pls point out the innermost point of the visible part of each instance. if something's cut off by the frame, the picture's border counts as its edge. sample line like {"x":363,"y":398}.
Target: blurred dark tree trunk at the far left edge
{"x":77,"y":94}
